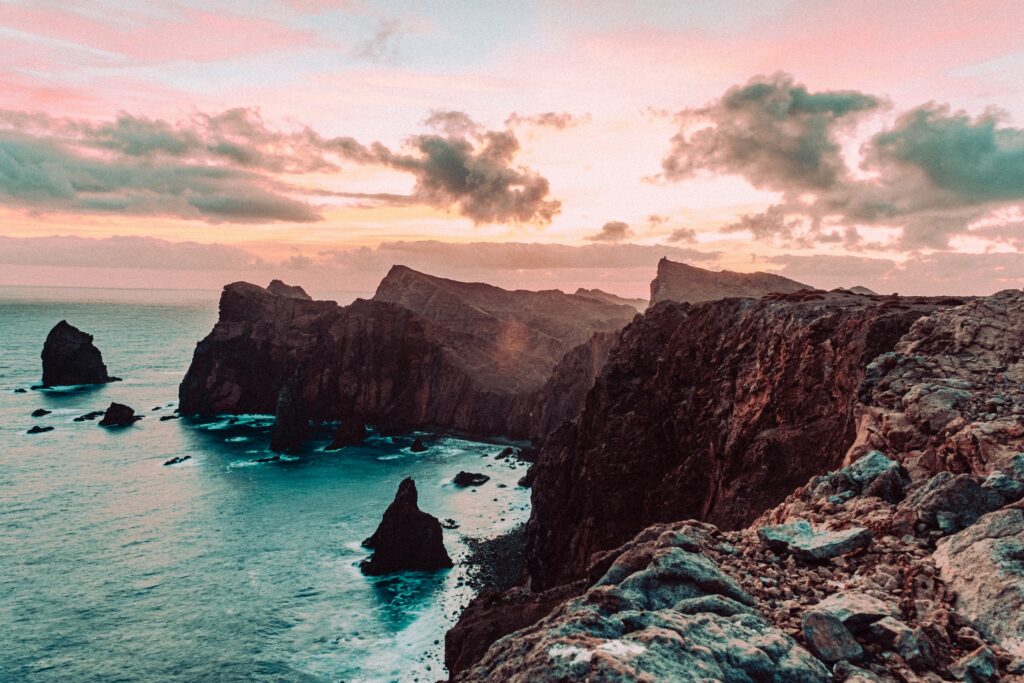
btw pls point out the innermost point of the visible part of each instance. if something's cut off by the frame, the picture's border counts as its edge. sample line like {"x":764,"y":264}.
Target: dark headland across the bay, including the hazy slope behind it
{"x":381,"y":363}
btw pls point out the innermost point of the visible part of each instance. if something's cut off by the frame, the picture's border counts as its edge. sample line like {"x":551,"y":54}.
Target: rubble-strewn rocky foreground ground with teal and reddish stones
{"x":906,"y":565}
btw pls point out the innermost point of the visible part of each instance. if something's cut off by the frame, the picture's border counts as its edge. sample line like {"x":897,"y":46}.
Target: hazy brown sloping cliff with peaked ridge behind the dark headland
{"x":509,"y":341}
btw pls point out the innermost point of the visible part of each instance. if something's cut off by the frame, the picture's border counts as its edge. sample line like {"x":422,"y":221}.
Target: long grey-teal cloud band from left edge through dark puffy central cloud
{"x":219,"y":167}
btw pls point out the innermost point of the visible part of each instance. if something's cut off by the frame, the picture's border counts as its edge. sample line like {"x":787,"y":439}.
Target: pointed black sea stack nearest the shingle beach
{"x":408,"y":539}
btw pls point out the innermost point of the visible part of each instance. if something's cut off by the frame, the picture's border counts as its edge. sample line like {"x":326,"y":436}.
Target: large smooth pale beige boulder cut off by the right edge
{"x":985,"y":565}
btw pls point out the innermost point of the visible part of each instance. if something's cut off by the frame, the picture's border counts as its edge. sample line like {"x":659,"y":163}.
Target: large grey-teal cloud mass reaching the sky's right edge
{"x":931,"y":175}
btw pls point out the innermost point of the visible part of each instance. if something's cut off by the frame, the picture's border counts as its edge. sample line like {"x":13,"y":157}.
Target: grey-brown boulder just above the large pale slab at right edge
{"x":953,"y":502}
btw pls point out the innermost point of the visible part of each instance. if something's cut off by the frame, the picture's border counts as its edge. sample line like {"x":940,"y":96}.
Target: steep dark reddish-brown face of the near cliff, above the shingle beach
{"x":712,"y":412}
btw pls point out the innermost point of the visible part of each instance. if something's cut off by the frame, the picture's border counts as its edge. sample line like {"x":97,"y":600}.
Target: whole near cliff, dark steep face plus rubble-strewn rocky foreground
{"x":903,"y":566}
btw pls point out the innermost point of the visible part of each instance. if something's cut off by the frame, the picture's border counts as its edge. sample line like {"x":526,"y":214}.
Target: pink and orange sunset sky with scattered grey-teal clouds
{"x":532,"y":145}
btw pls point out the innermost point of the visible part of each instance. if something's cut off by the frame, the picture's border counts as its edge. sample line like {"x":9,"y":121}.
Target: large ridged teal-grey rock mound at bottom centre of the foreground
{"x":625,"y":628}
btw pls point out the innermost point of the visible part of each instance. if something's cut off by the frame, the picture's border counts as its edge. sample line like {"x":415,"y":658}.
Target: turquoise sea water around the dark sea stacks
{"x":114,"y":568}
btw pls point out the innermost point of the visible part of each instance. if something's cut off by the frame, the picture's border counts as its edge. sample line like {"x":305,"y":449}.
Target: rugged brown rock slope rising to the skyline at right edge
{"x":950,"y":398}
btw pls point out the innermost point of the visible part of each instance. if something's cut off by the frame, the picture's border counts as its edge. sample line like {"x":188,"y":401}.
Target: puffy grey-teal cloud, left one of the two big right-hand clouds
{"x":773,"y":132}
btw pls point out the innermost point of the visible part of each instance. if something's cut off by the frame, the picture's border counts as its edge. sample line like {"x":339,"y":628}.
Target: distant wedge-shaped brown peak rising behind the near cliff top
{"x":689,"y":284}
